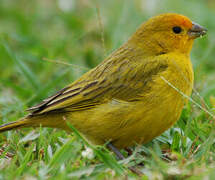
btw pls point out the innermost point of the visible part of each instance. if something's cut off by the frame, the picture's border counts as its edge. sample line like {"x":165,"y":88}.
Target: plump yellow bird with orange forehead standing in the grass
{"x":134,"y":95}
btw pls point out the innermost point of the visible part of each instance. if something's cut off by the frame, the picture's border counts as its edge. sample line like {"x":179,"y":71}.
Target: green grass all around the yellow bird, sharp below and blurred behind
{"x":31,"y":31}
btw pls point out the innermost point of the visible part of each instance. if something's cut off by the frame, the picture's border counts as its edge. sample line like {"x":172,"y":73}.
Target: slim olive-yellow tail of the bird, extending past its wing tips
{"x":14,"y":125}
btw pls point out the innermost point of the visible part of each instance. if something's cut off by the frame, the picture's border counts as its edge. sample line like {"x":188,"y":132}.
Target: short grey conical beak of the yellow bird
{"x":197,"y":31}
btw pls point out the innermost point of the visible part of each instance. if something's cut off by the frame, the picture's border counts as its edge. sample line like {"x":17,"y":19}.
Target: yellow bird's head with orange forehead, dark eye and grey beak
{"x":167,"y":33}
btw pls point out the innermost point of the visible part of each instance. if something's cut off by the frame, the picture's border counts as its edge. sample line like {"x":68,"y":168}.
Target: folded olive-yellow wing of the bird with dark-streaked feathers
{"x":110,"y":80}
